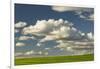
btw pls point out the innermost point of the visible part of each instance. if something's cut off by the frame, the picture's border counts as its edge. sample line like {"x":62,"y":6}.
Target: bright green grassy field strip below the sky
{"x":53,"y":59}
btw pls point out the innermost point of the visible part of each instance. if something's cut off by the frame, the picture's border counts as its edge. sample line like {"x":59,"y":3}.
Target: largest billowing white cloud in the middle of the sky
{"x":53,"y":29}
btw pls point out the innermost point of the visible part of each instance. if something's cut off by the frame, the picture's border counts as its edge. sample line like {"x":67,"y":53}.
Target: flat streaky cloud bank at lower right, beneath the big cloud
{"x":76,"y":47}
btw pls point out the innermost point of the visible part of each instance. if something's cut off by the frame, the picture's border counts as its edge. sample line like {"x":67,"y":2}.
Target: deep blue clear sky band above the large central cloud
{"x":32,"y":13}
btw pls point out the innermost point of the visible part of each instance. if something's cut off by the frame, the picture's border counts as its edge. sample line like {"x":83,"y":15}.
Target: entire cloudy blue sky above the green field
{"x":42,"y":30}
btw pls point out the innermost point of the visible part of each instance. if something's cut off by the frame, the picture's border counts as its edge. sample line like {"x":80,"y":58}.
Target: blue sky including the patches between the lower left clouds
{"x":31,"y":13}
